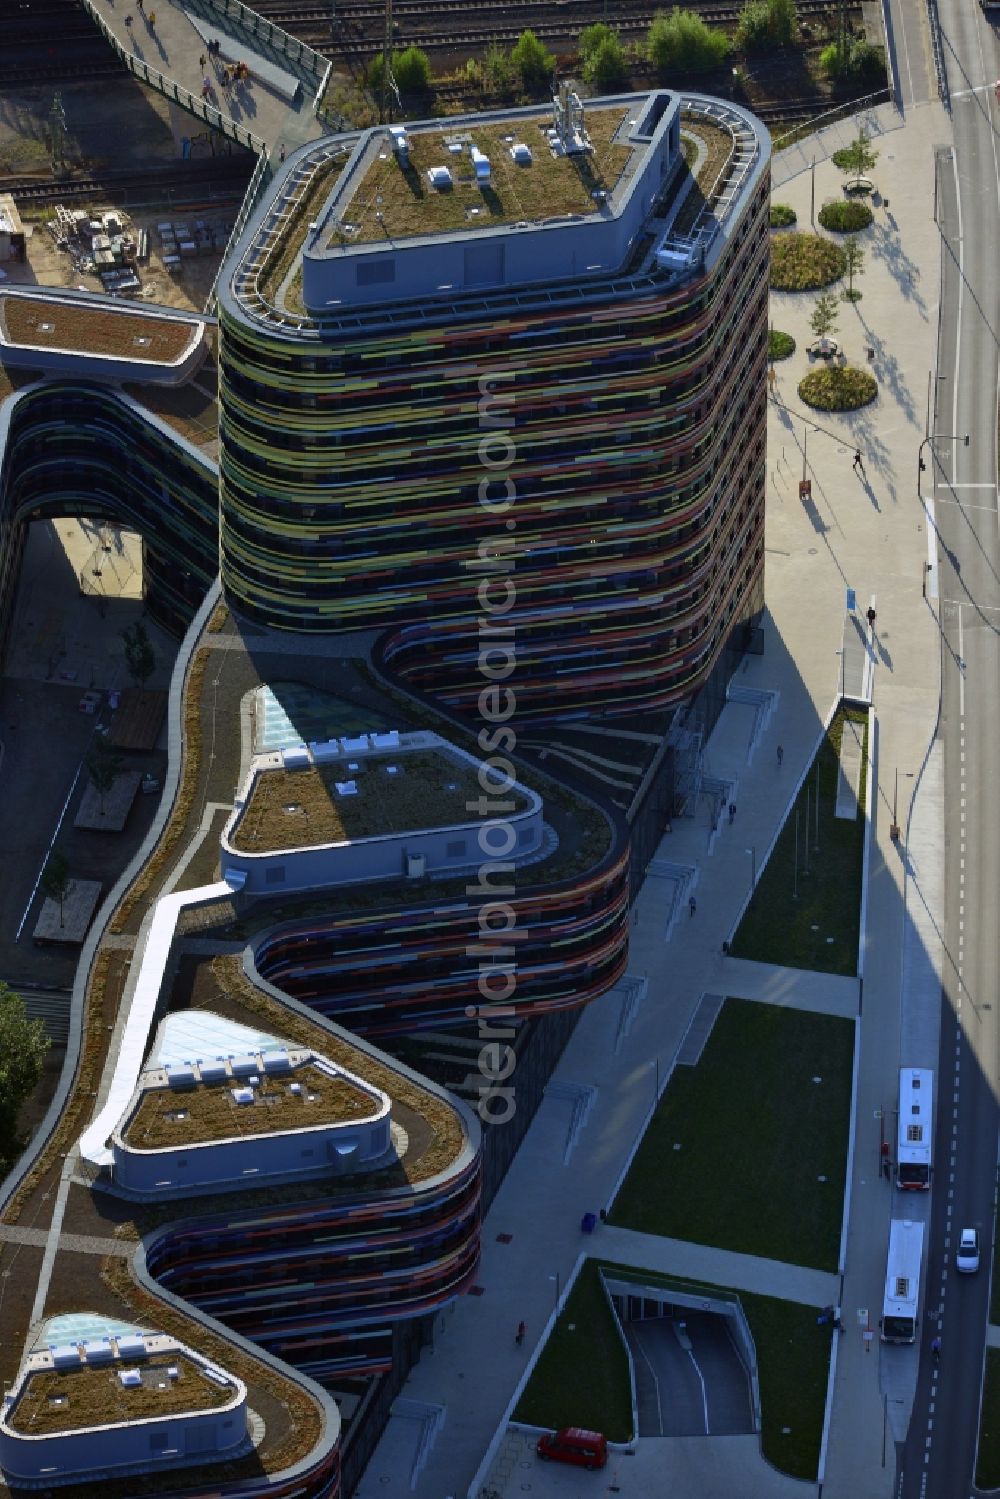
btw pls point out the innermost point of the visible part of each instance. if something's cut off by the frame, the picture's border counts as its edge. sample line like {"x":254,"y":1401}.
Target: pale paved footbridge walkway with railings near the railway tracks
{"x":274,"y":110}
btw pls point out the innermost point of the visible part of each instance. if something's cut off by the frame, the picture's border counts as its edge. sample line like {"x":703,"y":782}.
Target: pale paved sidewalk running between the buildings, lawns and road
{"x":863,"y":536}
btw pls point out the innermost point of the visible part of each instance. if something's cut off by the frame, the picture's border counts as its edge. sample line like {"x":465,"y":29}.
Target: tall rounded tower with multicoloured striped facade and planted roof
{"x":515,"y":380}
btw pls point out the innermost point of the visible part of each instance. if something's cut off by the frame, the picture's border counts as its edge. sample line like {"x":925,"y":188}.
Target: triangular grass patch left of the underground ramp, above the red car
{"x":582,"y":1375}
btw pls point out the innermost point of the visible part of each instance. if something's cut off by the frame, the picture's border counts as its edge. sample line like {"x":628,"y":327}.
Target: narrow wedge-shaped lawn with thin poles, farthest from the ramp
{"x":821,"y":929}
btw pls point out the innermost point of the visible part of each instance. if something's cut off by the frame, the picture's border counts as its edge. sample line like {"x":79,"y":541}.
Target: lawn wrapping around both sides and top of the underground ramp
{"x":582,"y":1377}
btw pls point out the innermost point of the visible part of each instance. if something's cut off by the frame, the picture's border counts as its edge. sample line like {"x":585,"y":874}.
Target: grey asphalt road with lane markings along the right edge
{"x":938,"y":1459}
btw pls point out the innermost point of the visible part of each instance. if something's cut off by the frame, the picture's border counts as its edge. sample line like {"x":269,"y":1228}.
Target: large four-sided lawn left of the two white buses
{"x":755,"y":1134}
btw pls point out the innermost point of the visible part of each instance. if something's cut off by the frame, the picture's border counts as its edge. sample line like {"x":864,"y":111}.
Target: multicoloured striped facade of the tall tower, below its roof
{"x":602,"y":444}
